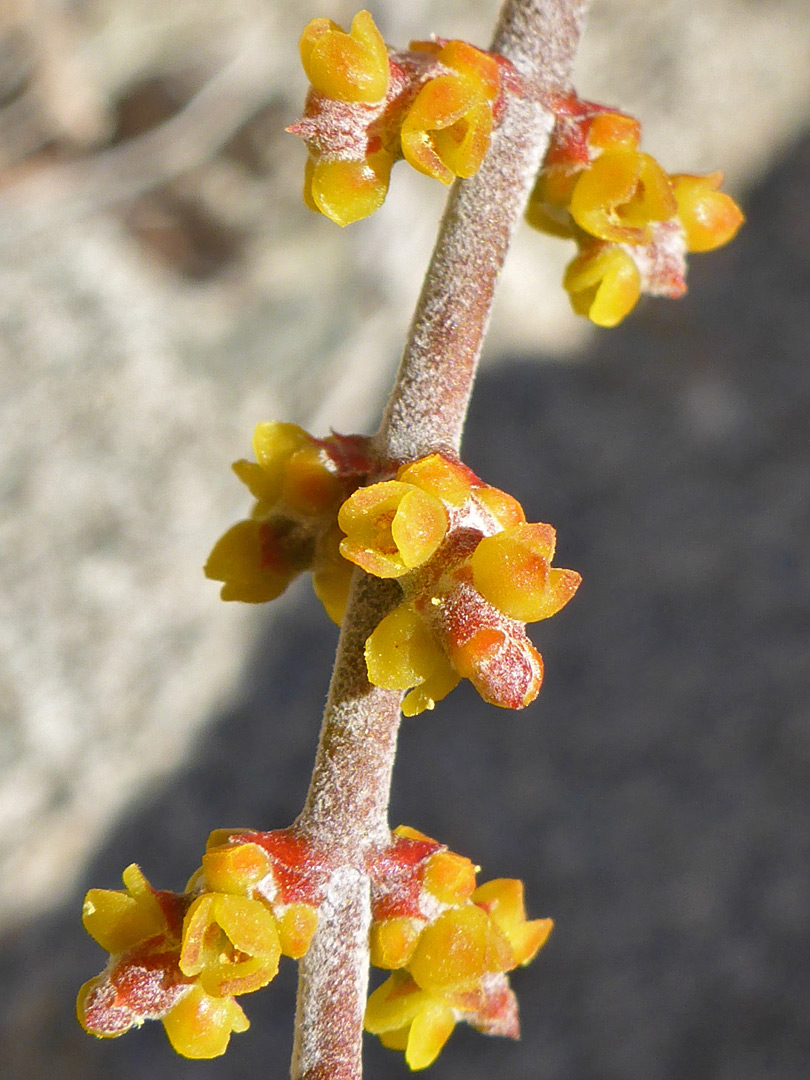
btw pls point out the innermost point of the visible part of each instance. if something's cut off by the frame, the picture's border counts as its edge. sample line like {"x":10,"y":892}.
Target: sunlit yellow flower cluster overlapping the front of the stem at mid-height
{"x":472,"y":571}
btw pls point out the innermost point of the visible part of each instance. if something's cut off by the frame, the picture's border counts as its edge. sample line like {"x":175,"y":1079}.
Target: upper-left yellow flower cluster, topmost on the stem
{"x":435,"y":105}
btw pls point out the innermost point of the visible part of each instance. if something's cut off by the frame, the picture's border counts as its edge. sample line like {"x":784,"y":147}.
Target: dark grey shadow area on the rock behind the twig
{"x":657,"y":799}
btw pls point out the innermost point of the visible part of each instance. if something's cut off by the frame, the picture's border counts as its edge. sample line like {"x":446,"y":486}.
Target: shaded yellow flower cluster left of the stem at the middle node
{"x":299,"y":483}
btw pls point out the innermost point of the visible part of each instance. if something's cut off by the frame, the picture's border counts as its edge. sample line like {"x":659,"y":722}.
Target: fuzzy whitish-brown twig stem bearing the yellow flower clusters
{"x":346,"y":811}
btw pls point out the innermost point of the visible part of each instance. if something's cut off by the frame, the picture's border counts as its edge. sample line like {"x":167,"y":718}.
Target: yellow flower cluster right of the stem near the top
{"x":633,"y":223}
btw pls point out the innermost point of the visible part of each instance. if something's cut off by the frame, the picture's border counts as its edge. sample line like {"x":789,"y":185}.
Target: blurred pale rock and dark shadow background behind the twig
{"x":163,"y":289}
